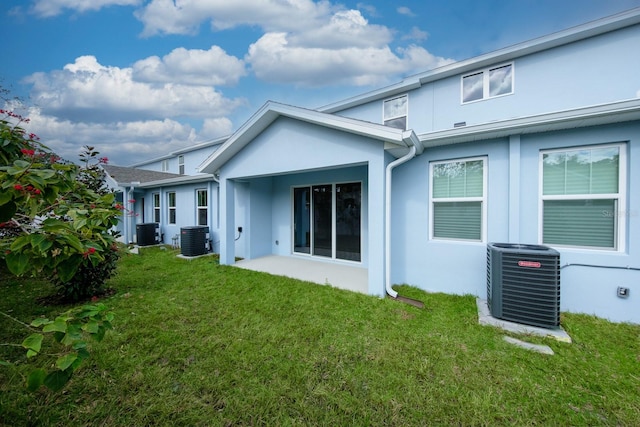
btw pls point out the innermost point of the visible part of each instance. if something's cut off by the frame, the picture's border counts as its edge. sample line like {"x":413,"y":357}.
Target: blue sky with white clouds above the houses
{"x":140,"y":78}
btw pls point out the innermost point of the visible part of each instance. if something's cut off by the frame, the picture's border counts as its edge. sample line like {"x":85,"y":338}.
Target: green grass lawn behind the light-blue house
{"x":199,"y":344}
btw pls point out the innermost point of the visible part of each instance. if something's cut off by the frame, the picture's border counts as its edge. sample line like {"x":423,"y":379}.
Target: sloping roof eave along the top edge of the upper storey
{"x":590,"y":29}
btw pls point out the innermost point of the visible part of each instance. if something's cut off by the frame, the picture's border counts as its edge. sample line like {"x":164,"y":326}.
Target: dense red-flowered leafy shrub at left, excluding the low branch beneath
{"x":56,"y":218}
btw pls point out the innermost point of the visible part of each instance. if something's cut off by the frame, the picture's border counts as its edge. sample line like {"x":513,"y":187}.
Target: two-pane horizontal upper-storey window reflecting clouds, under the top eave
{"x":488,"y":83}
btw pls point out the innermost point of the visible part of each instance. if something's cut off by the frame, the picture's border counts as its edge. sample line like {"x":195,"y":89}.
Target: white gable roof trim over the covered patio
{"x":396,"y":141}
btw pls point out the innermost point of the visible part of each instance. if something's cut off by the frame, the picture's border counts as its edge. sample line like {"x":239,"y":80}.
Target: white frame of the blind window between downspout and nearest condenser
{"x":482,"y":200}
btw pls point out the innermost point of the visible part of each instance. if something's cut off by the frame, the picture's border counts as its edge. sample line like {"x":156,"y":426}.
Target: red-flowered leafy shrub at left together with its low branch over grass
{"x":56,"y":221}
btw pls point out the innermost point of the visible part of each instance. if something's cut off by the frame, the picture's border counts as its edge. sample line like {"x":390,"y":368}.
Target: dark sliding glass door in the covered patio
{"x":326,"y":220}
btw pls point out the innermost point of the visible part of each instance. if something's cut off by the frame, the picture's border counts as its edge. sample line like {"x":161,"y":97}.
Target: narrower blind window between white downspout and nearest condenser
{"x":458,"y":199}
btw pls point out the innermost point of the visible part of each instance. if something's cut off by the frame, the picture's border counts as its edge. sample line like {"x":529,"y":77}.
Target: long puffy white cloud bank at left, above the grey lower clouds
{"x":89,"y":91}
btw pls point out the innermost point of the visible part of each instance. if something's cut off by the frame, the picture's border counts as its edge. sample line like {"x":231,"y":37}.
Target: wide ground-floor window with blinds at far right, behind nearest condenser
{"x":582,"y":199}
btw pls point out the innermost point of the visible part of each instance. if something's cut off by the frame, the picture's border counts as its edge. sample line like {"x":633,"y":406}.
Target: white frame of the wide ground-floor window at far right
{"x":622,"y":214}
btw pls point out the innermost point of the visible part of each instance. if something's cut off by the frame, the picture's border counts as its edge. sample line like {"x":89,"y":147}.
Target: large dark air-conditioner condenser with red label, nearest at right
{"x":523,"y":284}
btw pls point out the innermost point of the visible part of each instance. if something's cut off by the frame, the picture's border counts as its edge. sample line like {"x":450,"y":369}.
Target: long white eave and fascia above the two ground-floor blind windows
{"x":567,"y":119}
